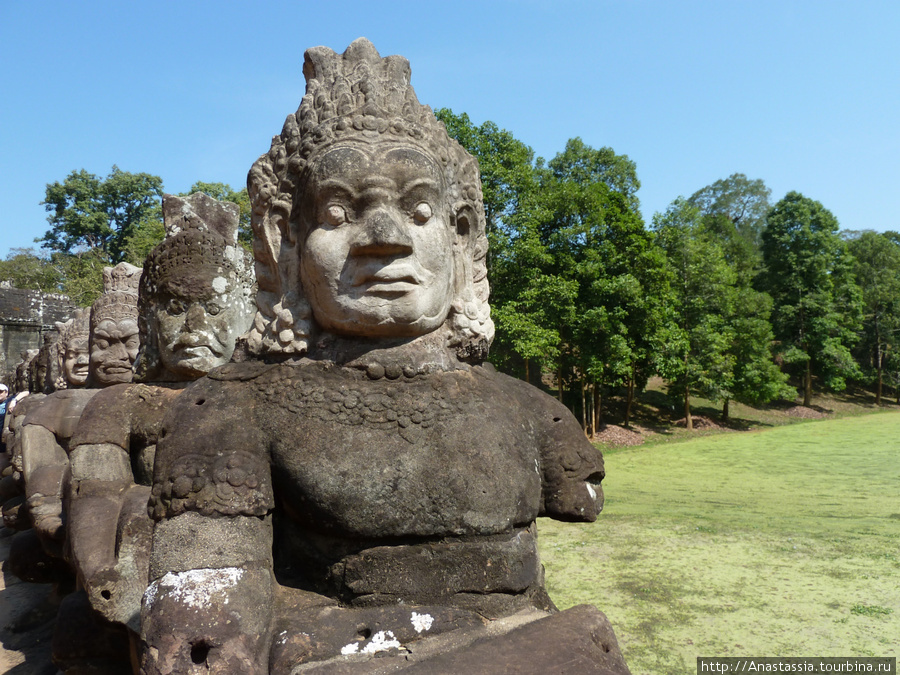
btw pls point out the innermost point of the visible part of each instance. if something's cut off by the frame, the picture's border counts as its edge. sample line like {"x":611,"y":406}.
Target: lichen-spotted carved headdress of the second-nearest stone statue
{"x":199,"y":258}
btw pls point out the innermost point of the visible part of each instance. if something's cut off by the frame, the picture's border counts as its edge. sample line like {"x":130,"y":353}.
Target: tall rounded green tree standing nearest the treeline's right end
{"x":808,"y":273}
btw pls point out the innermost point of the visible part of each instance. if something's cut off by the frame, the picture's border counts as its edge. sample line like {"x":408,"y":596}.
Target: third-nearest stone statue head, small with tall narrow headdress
{"x":114,"y":327}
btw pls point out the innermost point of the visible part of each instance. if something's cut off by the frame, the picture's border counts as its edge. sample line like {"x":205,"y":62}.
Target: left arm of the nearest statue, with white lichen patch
{"x":211,"y":593}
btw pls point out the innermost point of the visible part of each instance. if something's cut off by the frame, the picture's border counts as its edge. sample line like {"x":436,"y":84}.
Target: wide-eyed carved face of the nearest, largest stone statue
{"x":378,"y":258}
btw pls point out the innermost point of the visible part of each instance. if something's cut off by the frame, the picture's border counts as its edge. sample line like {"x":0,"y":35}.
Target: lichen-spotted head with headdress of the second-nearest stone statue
{"x":196,"y":294}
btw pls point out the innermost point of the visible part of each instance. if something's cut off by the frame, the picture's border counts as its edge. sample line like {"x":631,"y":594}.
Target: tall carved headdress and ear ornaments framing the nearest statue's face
{"x":356,"y":96}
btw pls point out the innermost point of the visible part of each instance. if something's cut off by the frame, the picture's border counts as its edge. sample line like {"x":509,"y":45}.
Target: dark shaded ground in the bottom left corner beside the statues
{"x":27,"y":612}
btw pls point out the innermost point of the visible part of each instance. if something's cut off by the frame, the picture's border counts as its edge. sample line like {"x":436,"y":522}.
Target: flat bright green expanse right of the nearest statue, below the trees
{"x":784,"y":542}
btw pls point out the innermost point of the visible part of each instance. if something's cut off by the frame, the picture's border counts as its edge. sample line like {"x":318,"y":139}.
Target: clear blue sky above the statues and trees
{"x":804,"y":95}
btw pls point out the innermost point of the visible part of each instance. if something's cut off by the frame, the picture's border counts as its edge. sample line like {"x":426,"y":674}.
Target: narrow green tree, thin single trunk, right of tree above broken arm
{"x":695,"y":355}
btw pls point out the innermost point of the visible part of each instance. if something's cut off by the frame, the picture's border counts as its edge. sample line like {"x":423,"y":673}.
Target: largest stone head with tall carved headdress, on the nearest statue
{"x":368,"y":219}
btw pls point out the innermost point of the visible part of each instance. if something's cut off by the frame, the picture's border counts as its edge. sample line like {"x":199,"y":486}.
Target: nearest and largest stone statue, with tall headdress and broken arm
{"x":368,"y":484}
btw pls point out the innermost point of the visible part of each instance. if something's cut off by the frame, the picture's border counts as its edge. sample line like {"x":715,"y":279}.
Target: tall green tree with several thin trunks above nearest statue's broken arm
{"x":596,"y":235}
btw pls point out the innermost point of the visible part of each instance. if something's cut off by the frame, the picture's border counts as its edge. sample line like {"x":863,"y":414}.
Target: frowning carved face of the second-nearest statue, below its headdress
{"x":197,"y":334}
